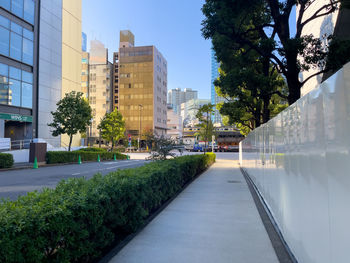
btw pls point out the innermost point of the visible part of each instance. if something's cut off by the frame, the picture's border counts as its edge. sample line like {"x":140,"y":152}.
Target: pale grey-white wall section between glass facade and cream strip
{"x":50,"y":65}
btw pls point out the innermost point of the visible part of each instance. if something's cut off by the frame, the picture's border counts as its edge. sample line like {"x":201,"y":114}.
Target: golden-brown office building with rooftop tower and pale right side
{"x":142,"y":86}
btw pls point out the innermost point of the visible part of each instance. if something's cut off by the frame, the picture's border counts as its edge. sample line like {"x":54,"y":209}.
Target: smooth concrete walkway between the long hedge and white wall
{"x":213,"y":220}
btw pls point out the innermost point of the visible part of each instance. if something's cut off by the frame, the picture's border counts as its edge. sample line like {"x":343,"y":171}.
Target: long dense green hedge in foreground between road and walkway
{"x":81,"y":218}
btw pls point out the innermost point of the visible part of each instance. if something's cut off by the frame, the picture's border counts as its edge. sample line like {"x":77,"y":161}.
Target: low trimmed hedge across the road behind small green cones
{"x":72,"y":157}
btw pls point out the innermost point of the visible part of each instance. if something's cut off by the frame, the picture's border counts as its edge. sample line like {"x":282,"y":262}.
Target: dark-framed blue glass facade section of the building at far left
{"x":18,"y":37}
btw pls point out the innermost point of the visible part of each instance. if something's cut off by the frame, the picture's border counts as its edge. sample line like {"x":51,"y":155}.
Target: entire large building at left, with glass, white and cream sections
{"x":40,"y":60}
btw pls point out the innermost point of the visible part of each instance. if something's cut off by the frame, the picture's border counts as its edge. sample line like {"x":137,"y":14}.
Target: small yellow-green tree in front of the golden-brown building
{"x":112,"y":127}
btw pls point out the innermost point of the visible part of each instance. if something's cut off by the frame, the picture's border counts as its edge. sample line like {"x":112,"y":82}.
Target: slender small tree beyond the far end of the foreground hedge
{"x":206,"y":125}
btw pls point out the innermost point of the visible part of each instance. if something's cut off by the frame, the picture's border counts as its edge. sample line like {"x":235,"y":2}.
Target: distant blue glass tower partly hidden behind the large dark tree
{"x":215,"y":99}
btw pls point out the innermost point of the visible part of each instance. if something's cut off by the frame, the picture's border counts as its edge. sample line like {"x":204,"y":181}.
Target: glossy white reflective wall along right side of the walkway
{"x":300,"y":163}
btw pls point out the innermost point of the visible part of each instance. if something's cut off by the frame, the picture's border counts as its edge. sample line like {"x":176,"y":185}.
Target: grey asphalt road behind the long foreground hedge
{"x":19,"y":182}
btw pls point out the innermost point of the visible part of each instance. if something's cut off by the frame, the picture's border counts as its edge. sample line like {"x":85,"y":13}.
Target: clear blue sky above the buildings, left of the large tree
{"x":172,"y":26}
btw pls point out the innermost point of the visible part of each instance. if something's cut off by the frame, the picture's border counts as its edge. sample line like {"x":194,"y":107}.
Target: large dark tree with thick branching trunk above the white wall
{"x":263,"y":26}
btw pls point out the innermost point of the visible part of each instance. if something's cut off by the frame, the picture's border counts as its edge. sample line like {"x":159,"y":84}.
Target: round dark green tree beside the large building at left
{"x":73,"y":115}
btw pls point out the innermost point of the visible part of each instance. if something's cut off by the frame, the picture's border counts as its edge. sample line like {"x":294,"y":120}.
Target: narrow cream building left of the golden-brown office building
{"x":100,"y":84}
